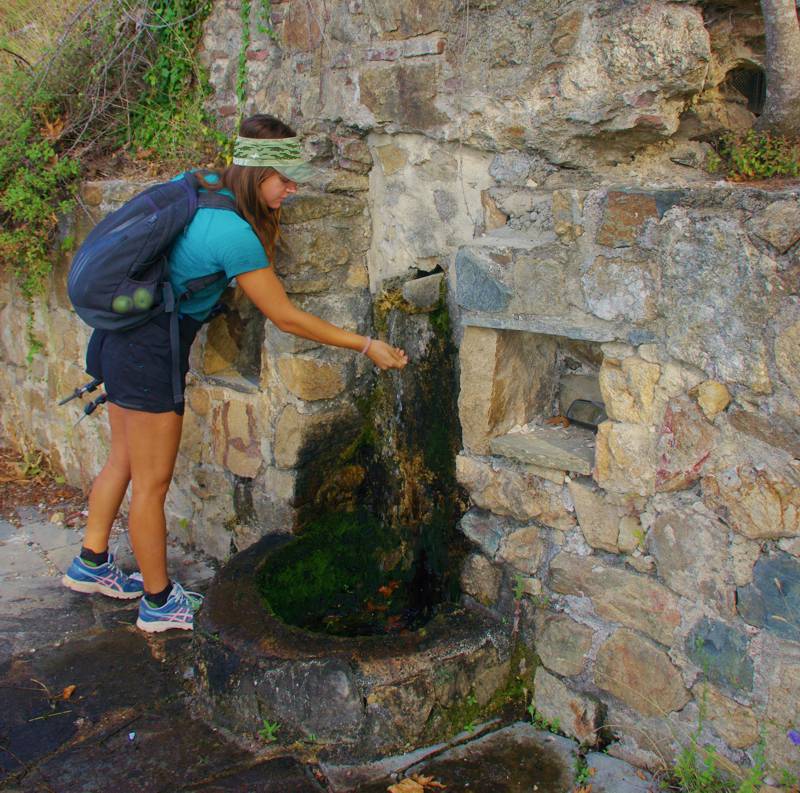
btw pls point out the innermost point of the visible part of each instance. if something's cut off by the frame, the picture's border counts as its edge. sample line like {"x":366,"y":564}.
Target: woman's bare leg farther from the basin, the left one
{"x":109,"y":487}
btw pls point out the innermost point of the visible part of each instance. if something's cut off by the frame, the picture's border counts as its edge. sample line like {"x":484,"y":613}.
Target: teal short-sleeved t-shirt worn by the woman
{"x":216,"y":240}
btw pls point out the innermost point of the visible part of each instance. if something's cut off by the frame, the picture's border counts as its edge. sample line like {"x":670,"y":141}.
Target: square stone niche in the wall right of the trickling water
{"x":516,"y":389}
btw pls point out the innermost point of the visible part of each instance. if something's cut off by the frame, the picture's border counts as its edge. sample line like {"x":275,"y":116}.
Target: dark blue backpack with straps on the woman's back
{"x":119,"y":278}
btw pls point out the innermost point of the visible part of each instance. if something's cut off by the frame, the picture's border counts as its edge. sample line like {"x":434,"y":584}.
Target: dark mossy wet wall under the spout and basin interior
{"x":335,"y":576}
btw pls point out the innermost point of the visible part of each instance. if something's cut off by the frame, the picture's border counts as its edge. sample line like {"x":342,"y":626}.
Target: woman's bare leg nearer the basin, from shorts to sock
{"x":152,"y":443}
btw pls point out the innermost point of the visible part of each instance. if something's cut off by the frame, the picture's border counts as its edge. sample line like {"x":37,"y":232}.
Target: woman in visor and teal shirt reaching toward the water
{"x":136,"y":366}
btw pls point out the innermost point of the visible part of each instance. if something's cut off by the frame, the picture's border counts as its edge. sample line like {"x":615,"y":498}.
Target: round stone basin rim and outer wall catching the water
{"x":358,"y":697}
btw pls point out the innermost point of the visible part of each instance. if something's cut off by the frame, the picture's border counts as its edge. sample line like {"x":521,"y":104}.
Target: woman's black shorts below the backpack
{"x":136,"y":365}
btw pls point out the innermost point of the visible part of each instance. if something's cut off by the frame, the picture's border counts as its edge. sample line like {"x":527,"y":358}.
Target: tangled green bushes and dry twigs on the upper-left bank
{"x":119,"y":79}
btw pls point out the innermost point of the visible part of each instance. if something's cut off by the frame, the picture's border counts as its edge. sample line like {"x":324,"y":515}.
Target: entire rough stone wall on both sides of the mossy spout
{"x":547,"y":158}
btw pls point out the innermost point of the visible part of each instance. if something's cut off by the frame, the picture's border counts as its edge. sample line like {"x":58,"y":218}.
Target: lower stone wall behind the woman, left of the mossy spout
{"x":261,"y":404}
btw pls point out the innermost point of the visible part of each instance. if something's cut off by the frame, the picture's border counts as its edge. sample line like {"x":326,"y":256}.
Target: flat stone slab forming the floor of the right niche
{"x":561,"y":448}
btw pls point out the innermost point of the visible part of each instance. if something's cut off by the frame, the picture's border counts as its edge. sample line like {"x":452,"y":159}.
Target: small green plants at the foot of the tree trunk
{"x":755,"y":156}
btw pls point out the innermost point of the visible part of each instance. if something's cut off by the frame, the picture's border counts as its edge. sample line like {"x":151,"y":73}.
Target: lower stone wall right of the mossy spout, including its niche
{"x":662,"y":569}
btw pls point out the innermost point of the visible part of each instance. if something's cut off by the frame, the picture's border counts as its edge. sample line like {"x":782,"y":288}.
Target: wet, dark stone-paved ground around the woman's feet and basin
{"x":89,"y":703}
